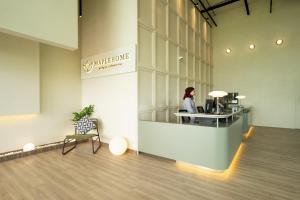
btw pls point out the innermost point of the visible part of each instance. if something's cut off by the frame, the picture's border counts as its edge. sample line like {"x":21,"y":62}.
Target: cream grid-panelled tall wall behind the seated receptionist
{"x":169,"y":30}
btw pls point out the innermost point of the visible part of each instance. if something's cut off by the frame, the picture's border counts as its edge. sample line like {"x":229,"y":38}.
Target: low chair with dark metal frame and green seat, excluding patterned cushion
{"x":79,"y":136}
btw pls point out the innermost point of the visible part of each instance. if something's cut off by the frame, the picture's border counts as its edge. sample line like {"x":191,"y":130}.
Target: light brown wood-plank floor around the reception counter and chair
{"x":268,"y":168}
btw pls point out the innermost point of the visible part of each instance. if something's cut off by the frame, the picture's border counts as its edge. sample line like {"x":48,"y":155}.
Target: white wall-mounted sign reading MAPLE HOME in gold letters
{"x":118,"y":61}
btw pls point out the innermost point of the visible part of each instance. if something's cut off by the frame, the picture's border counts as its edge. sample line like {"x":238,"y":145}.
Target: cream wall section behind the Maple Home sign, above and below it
{"x":107,"y":25}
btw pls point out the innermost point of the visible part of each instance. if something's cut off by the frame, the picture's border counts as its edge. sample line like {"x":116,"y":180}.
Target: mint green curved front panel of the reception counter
{"x":205,"y":146}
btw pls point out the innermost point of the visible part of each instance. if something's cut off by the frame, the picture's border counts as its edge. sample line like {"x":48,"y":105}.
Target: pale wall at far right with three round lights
{"x":269,"y":75}
